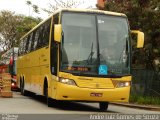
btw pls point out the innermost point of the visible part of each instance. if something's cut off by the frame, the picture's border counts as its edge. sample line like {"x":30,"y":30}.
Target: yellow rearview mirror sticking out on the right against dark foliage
{"x":139,"y":37}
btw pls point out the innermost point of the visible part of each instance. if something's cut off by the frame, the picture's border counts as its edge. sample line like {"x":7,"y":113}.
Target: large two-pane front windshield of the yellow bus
{"x":91,"y":41}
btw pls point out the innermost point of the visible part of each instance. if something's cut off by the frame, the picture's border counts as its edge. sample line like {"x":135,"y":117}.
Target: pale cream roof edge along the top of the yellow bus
{"x":76,"y":10}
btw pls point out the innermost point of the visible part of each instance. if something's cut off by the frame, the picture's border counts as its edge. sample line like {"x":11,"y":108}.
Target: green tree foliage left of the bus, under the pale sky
{"x":13,"y":27}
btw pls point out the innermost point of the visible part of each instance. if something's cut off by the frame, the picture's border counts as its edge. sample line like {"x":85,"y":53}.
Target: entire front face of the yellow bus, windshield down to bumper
{"x":94,"y":58}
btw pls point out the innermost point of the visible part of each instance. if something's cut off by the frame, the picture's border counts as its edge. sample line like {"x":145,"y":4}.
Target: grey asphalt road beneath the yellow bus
{"x":37,"y":105}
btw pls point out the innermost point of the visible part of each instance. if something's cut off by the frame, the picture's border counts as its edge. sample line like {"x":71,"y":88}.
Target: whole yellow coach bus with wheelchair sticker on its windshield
{"x":78,"y":55}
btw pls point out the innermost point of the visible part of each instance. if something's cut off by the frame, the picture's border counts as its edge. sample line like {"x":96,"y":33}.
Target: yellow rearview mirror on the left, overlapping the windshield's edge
{"x":57,"y":32}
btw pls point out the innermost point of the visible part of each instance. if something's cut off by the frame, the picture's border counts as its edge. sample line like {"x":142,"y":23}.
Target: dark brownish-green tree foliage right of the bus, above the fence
{"x":143,"y":15}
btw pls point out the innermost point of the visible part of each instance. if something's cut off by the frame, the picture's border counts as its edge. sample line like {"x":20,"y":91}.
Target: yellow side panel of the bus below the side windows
{"x":34,"y":67}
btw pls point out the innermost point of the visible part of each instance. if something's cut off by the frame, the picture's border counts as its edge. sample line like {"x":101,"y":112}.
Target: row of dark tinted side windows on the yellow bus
{"x":37,"y":39}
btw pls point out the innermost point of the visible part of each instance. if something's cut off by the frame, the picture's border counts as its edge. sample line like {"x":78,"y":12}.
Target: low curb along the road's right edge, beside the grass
{"x":137,"y":106}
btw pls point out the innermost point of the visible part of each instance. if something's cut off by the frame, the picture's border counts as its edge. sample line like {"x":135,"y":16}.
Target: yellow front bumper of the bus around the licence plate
{"x":74,"y":93}
